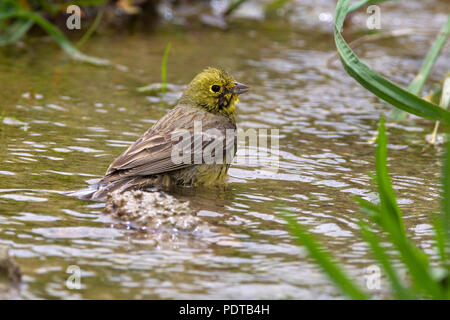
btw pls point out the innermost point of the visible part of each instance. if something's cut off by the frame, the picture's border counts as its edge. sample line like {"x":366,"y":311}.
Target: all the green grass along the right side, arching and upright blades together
{"x":423,"y":280}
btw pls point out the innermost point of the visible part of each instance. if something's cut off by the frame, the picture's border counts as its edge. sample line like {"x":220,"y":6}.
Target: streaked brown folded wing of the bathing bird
{"x":154,"y":152}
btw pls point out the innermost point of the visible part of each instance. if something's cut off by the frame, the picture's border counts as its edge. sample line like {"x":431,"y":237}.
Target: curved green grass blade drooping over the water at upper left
{"x":56,"y":34}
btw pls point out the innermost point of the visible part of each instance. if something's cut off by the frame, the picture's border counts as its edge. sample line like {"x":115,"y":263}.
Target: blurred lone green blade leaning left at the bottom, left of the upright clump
{"x":325,"y":261}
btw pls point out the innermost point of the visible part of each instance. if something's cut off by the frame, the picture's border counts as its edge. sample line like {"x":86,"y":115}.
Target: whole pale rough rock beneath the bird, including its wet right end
{"x":163,"y":220}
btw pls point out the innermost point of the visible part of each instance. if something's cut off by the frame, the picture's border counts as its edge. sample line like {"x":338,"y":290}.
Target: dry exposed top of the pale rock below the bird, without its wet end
{"x":152,"y":211}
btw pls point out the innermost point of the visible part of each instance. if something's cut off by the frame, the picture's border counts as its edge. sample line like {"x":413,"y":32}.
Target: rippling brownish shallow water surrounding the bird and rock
{"x":66,"y":121}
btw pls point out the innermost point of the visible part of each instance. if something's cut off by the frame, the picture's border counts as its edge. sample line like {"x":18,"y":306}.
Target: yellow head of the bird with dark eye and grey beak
{"x":214,"y":90}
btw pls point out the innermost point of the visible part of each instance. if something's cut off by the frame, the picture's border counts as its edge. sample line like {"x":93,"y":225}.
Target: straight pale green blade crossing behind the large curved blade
{"x":416,"y":85}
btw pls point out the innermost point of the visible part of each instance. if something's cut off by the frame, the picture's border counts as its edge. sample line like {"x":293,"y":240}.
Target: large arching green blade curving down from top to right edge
{"x":374,"y":82}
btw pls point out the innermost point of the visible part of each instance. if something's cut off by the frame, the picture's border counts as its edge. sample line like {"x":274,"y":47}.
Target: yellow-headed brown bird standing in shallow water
{"x":191,"y":145}
